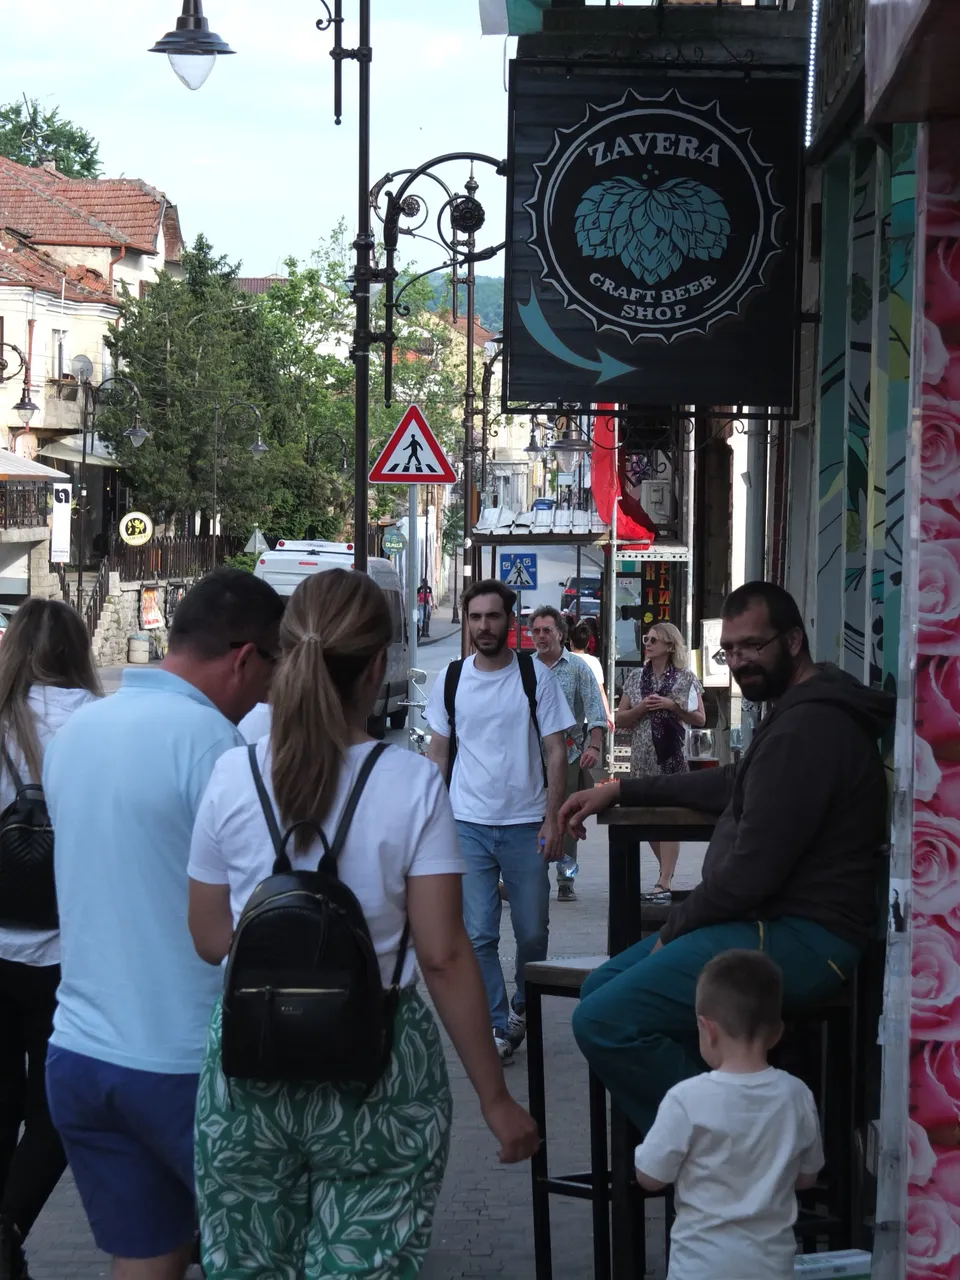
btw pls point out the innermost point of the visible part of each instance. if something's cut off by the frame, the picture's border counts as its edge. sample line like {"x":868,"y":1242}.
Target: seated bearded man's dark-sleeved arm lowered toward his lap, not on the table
{"x":787,"y":794}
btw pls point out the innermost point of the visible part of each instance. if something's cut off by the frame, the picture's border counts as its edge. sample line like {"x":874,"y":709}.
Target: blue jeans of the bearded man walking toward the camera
{"x":515,"y":854}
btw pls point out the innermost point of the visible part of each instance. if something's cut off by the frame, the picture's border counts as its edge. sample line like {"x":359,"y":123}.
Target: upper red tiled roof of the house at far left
{"x":99,"y":212}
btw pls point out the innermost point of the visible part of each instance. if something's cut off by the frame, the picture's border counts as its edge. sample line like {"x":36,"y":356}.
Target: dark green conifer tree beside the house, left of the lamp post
{"x":189,"y":346}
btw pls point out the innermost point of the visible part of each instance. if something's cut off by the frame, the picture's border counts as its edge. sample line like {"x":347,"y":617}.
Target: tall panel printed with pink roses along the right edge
{"x":934,"y":1242}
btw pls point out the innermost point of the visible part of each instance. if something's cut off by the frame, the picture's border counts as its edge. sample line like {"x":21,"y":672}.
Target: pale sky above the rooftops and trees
{"x":254,"y":159}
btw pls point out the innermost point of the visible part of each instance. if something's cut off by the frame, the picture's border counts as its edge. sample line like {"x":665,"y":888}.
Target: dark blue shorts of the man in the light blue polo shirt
{"x":130,"y":1142}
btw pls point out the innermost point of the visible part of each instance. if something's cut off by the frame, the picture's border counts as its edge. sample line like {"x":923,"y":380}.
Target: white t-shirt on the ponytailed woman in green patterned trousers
{"x":403,"y":828}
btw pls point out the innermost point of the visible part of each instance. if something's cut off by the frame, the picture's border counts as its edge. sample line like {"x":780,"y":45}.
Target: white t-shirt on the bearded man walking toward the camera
{"x":499,"y":771}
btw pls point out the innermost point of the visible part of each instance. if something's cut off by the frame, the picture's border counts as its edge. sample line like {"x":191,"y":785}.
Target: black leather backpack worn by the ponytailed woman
{"x":304,"y":999}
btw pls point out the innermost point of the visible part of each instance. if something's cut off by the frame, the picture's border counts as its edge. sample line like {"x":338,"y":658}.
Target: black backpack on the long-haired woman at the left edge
{"x":28,"y":888}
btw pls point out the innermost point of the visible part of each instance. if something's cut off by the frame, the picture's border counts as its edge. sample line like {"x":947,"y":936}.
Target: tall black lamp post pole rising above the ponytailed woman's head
{"x":364,"y":246}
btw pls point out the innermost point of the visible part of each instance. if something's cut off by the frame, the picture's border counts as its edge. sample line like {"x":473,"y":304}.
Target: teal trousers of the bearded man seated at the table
{"x":637,"y":1022}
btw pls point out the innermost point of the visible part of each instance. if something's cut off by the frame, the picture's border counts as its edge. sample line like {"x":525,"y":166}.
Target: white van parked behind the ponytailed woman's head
{"x":286,"y":568}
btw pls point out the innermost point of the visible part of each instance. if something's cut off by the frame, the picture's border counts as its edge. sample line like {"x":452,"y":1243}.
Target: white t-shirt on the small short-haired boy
{"x":734,"y":1146}
